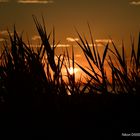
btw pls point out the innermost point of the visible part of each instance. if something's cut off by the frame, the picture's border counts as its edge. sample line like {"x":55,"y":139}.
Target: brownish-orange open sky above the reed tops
{"x":115,"y":18}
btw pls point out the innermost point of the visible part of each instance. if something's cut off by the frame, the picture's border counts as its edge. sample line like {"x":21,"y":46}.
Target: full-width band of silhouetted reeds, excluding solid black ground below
{"x":24,"y":70}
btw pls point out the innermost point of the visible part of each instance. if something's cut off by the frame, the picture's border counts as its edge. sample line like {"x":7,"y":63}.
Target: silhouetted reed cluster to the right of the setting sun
{"x":125,"y":72}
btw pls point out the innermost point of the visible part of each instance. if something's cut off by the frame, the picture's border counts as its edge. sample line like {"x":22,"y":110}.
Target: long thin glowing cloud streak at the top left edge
{"x":35,"y":1}
